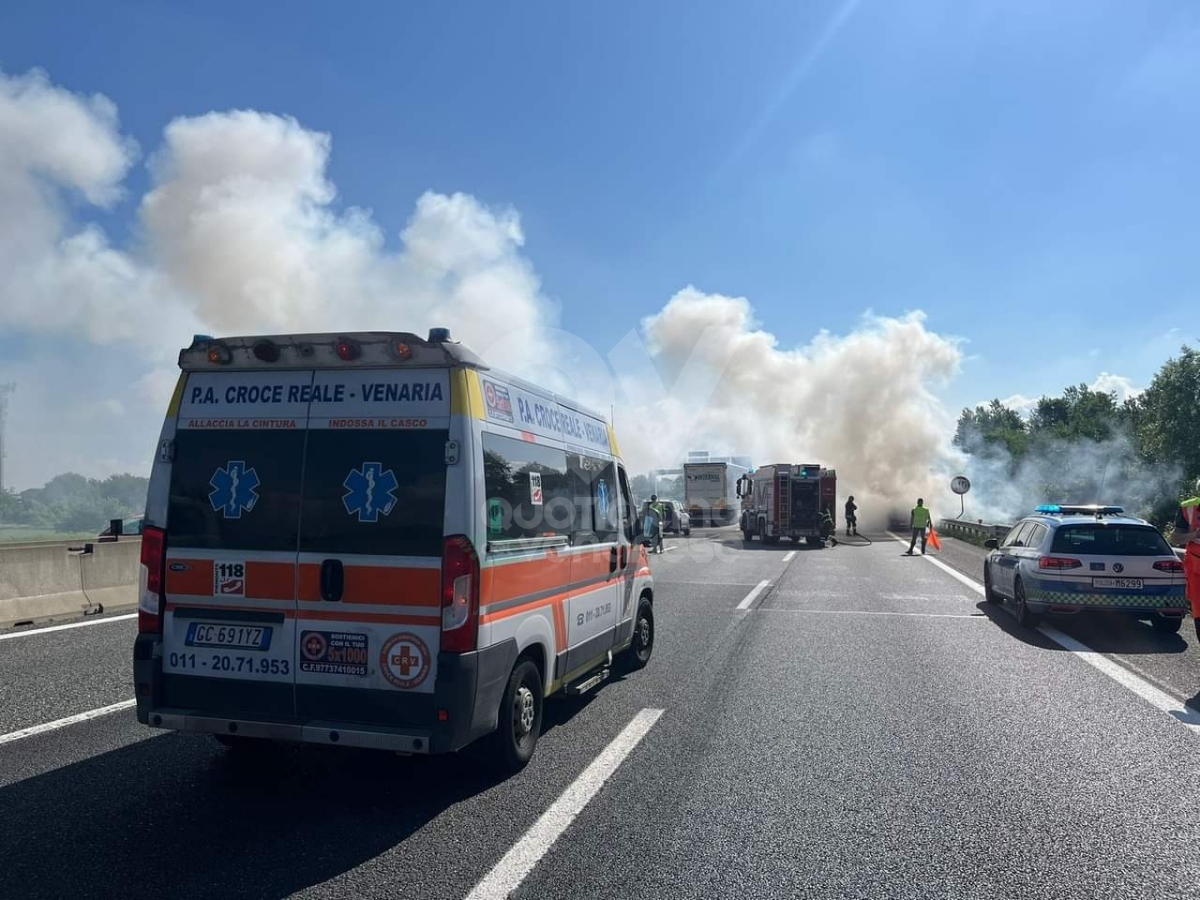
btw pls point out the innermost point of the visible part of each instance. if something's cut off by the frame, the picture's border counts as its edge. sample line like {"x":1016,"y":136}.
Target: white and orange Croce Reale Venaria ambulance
{"x":376,"y":541}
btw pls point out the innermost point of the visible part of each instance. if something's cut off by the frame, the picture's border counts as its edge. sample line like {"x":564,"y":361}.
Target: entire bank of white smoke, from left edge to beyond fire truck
{"x":242,"y":232}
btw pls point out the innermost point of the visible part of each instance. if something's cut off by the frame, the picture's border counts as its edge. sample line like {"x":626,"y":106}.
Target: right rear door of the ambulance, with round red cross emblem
{"x":371,"y":547}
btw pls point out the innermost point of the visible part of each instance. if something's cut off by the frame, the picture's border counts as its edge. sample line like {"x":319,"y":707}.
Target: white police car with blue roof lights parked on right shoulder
{"x":1067,"y":560}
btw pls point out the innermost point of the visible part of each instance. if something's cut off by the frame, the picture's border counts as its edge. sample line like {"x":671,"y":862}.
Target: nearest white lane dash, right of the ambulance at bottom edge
{"x":524,"y":856}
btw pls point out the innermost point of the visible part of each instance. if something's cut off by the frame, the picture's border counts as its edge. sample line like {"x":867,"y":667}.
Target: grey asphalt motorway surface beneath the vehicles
{"x":867,"y":728}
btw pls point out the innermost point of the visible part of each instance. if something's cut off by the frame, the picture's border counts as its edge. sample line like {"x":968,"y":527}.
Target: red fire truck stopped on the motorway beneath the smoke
{"x":788,"y":501}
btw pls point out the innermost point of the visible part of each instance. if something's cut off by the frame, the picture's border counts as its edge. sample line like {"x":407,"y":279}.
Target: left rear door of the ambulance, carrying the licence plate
{"x":232,"y":531}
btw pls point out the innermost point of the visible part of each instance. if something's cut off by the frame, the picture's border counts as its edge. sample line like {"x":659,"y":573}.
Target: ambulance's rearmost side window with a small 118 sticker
{"x":531,"y":493}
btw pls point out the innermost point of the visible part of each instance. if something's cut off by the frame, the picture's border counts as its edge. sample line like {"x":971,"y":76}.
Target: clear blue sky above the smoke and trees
{"x":1024,"y":175}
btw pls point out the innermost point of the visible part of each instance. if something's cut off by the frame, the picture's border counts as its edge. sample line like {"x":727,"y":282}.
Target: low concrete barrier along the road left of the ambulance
{"x":59,"y":580}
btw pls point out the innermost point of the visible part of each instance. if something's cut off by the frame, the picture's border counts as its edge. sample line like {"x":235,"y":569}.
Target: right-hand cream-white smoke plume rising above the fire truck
{"x":862,"y":404}
